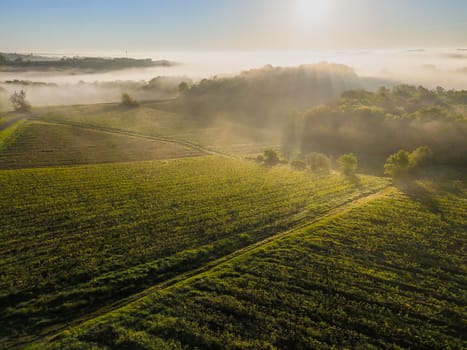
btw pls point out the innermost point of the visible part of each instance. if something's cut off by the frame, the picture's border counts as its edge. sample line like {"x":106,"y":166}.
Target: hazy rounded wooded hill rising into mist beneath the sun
{"x":266,"y":95}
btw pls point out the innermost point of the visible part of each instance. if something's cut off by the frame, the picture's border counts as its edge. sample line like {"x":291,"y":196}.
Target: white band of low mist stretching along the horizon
{"x":430,"y":68}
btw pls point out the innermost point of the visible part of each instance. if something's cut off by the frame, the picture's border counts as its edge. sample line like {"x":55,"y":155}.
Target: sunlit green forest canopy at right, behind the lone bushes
{"x":374,"y":125}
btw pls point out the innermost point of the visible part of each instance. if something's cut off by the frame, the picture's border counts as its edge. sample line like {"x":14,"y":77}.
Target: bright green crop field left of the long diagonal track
{"x":77,"y":239}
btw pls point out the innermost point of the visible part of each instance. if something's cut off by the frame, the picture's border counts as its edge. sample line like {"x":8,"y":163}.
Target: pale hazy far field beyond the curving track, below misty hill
{"x":157,"y":119}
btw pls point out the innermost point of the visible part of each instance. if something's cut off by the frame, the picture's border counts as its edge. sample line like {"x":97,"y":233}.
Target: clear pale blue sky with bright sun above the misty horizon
{"x":192,"y":25}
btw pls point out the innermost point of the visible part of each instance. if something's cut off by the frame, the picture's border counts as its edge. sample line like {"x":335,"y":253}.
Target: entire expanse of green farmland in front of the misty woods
{"x":144,"y":229}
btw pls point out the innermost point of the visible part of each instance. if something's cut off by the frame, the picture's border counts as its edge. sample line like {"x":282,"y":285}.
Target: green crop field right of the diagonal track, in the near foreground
{"x":388,"y":273}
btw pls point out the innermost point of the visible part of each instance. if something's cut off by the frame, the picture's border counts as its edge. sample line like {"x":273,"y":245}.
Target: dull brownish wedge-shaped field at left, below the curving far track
{"x":43,"y":144}
